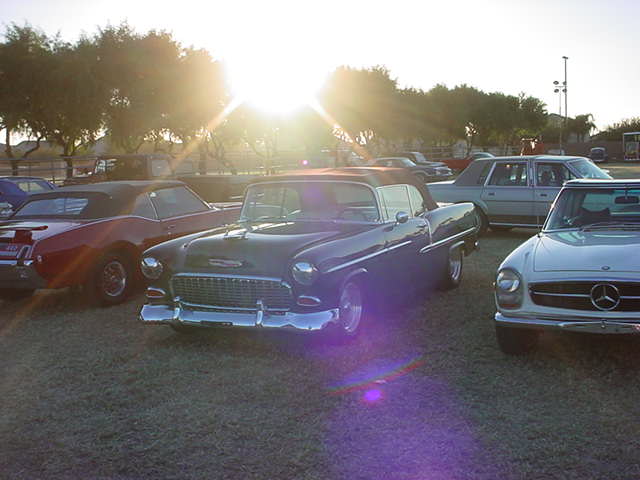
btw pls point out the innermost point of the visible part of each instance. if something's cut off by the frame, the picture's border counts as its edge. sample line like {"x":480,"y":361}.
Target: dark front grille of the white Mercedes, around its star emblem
{"x":577,"y":295}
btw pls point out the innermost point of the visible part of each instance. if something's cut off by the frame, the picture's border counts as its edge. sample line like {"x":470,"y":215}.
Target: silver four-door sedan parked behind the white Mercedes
{"x":514,"y":191}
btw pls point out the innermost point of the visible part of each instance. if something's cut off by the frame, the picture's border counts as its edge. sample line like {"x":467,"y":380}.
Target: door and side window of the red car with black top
{"x":182,"y":212}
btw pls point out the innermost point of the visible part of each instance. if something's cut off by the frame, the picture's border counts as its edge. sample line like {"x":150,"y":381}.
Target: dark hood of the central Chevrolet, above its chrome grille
{"x":261,"y":249}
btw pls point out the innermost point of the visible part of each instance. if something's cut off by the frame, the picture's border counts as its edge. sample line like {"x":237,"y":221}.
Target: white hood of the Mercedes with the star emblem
{"x":611,"y":251}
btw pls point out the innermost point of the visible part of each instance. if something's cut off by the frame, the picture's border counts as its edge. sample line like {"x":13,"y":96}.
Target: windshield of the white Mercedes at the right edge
{"x":596,"y":208}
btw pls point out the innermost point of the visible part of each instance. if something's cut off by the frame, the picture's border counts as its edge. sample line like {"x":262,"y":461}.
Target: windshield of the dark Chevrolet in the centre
{"x":301,"y":201}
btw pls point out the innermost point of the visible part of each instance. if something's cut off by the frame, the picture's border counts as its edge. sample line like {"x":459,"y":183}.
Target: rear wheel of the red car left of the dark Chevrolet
{"x":111,"y":280}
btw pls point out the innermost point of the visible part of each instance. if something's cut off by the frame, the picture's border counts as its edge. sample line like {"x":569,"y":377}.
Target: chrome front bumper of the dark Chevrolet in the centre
{"x":297,"y":322}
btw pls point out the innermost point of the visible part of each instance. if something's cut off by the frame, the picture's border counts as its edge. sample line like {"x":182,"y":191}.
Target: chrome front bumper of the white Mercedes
{"x":602,"y":326}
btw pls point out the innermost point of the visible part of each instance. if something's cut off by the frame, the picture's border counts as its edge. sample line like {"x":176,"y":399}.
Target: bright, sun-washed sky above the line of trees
{"x":503,"y":45}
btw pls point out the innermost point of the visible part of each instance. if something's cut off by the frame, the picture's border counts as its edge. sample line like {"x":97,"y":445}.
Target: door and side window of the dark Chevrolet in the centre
{"x":403,"y":241}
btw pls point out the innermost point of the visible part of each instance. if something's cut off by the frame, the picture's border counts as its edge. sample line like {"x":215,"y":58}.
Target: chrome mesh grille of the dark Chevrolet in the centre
{"x":232,"y":293}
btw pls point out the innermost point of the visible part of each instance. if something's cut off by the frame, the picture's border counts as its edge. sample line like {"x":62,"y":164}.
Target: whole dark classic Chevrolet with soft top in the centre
{"x":312,"y":251}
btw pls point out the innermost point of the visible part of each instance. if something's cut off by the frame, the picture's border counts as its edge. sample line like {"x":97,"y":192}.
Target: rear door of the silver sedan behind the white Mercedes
{"x":508,"y":194}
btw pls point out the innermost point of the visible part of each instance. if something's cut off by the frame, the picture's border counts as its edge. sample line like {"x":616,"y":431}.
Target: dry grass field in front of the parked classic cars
{"x":91,"y":393}
